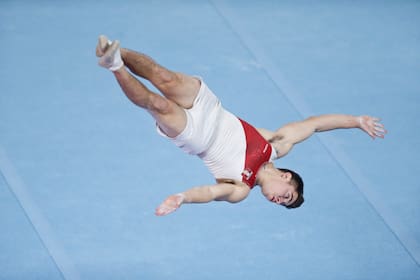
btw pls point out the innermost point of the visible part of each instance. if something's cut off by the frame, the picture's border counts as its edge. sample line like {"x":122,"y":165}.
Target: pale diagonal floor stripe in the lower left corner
{"x":37,"y":219}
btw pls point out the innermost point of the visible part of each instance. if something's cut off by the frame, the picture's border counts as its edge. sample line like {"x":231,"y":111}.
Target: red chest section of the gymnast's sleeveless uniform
{"x":258,"y":152}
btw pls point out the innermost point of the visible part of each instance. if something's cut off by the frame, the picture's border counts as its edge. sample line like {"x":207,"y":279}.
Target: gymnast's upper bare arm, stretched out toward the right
{"x":284,"y":138}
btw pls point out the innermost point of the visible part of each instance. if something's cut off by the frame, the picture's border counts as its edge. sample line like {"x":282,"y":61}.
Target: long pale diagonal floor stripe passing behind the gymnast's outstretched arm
{"x":400,"y":230}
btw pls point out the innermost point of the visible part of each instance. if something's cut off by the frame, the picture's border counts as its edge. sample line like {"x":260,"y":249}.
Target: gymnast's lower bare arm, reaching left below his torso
{"x":220,"y":192}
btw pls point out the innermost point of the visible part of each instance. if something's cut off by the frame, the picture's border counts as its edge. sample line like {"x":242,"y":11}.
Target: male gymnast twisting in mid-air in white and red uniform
{"x":238,"y":155}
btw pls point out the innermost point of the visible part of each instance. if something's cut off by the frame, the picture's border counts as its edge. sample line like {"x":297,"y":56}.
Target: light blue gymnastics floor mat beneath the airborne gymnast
{"x":82,"y":169}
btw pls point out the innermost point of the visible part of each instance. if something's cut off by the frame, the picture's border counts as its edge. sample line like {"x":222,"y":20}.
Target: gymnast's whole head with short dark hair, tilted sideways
{"x":283,"y":187}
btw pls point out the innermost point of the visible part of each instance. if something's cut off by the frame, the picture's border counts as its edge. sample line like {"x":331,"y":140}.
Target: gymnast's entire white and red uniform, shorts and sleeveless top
{"x":229,"y":147}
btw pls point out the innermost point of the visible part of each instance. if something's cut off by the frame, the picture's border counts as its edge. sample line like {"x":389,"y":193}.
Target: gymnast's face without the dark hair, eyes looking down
{"x":279,"y":189}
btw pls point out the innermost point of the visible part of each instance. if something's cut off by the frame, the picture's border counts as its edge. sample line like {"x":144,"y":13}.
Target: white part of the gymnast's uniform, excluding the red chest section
{"x":215,"y":135}
